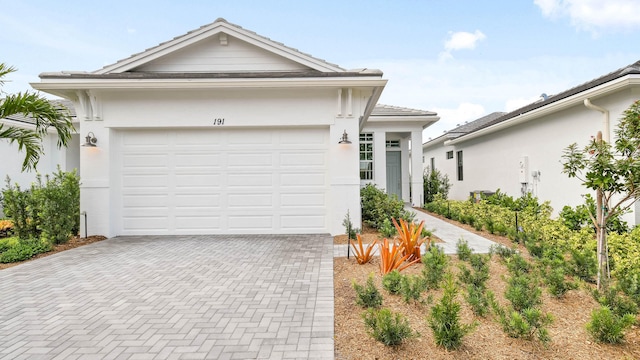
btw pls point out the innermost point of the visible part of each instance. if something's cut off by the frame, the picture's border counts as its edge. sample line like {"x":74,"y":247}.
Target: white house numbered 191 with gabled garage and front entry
{"x":222,"y":130}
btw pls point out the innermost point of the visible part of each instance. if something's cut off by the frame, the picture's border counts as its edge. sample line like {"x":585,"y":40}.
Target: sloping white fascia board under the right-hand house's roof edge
{"x":577,"y":99}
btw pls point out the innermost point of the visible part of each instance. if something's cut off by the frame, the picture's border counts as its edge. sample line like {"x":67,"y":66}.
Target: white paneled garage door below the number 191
{"x":221,"y":181}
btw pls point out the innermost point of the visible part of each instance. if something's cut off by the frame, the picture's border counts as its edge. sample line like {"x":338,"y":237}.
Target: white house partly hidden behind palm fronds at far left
{"x":11,"y":164}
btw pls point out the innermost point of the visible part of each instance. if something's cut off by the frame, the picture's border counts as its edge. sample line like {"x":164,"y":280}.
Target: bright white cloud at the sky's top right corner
{"x":594,"y":15}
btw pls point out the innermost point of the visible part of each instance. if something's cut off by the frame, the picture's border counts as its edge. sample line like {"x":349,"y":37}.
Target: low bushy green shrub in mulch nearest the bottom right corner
{"x":607,"y":327}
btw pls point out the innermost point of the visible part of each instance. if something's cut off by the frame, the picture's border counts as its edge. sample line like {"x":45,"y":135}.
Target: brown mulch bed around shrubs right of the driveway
{"x":569,"y":338}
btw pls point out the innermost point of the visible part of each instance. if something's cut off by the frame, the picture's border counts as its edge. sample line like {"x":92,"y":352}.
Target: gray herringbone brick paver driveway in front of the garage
{"x":182,"y":297}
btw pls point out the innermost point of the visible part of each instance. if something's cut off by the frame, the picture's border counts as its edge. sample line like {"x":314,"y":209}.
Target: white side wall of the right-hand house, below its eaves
{"x":492,"y":162}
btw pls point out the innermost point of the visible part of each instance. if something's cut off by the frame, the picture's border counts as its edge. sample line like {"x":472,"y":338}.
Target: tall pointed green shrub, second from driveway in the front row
{"x":444,"y":319}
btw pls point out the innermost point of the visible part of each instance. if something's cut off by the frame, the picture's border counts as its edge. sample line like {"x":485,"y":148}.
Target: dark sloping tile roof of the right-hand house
{"x":627,"y":70}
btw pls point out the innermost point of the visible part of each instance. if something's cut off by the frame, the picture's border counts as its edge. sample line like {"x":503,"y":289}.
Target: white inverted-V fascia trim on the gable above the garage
{"x":204,"y":33}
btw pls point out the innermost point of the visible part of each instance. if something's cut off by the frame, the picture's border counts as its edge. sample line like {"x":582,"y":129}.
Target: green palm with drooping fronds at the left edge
{"x":46,"y":115}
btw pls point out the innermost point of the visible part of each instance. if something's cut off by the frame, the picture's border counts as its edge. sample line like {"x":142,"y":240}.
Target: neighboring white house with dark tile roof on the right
{"x":521,"y":151}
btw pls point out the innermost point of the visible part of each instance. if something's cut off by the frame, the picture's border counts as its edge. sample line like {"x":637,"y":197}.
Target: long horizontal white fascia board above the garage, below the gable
{"x":125,"y":84}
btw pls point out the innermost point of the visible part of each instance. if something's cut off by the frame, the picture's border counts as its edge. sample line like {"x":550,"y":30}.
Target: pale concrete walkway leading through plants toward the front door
{"x":448,"y":233}
